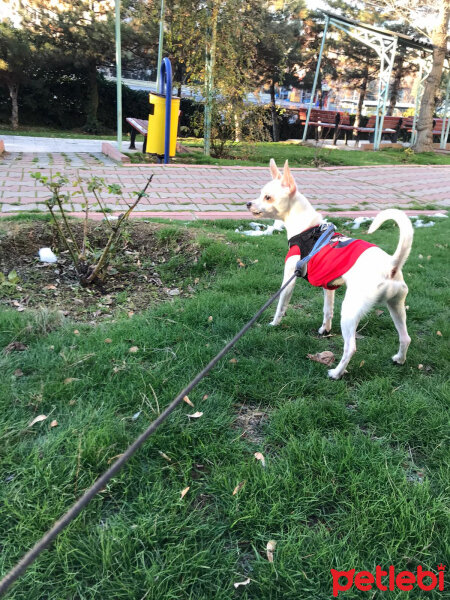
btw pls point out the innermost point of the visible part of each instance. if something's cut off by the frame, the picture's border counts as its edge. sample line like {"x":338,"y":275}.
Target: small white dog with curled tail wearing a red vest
{"x":370,"y":274}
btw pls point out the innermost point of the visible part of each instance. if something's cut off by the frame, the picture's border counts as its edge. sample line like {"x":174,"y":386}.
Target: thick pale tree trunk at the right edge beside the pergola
{"x":424,"y":141}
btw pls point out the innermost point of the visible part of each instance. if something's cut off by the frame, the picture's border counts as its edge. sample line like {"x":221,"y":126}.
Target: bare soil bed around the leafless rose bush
{"x":153,"y":263}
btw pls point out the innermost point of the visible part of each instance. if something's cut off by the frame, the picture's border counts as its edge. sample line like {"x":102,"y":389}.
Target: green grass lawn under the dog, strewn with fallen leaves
{"x":357,"y":471}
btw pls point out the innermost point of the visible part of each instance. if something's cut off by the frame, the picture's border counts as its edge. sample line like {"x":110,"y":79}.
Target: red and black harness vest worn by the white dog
{"x":332,"y":261}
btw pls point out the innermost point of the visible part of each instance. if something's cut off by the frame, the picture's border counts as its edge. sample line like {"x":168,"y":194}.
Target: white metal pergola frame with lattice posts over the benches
{"x":385,"y":43}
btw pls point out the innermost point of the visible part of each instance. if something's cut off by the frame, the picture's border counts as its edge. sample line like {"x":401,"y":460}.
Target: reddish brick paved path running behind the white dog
{"x":184,"y":191}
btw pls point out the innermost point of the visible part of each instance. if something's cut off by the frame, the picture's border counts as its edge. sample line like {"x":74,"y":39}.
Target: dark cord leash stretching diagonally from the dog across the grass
{"x":76,"y":508}
